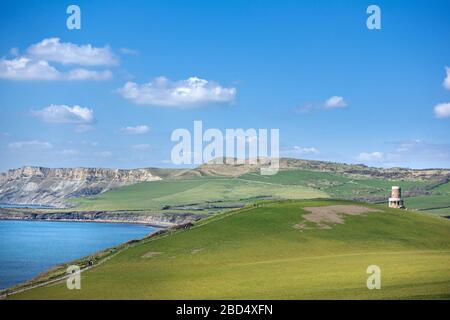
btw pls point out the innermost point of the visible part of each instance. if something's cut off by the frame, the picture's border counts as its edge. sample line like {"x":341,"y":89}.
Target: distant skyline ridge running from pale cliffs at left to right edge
{"x":53,"y":186}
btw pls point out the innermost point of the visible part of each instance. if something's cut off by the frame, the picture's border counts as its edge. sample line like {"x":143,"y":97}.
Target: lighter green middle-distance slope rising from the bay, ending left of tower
{"x":154,"y":195}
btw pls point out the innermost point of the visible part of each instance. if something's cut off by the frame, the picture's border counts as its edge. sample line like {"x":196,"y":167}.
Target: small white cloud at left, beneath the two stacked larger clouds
{"x":65,"y":114}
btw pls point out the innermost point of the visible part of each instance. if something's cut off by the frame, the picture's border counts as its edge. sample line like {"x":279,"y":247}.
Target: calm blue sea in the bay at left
{"x":28,"y":248}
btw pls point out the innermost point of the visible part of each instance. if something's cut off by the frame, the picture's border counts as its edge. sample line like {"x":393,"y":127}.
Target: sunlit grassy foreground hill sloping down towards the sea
{"x":256,"y":253}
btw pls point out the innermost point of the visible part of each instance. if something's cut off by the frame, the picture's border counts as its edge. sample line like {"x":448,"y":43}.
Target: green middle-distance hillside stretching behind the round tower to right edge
{"x":422,"y":194}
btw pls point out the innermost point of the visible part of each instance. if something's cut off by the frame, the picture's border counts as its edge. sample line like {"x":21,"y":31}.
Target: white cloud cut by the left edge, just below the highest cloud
{"x":26,"y":69}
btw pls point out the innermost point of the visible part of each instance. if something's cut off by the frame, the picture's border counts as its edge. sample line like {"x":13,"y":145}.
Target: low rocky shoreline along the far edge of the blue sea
{"x":162,"y":220}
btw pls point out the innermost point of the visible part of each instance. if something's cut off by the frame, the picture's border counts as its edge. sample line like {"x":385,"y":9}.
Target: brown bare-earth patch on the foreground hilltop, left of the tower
{"x":325,"y":217}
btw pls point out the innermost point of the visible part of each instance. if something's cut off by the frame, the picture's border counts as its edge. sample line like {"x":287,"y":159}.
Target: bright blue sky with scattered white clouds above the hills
{"x":336,"y":90}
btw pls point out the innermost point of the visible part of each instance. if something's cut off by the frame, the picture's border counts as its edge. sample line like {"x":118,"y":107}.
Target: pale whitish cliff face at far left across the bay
{"x":46,"y":186}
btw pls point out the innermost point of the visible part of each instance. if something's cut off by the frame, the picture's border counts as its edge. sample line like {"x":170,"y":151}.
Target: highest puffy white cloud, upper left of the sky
{"x":52,"y":49}
